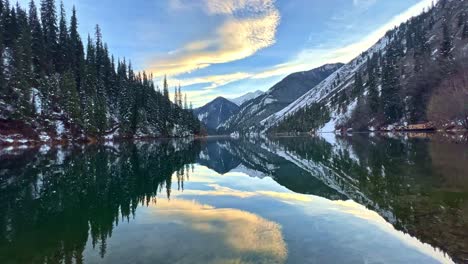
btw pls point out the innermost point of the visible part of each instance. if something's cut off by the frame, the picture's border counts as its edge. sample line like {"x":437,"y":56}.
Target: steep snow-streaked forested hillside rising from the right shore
{"x":415,"y":77}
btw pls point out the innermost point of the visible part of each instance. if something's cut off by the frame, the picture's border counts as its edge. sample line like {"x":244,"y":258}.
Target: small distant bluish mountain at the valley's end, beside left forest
{"x":216,"y":112}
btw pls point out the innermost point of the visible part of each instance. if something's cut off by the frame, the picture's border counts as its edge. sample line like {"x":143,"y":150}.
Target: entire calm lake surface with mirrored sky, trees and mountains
{"x":358,"y":199}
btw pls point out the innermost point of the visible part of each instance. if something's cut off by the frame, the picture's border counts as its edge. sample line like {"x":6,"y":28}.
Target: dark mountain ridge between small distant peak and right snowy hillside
{"x":276,"y":98}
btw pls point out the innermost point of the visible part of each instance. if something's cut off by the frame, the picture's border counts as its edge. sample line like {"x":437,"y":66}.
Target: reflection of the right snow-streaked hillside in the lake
{"x":418,"y":183}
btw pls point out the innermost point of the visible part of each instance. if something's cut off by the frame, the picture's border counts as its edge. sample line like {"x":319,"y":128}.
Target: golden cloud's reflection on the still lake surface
{"x":238,"y":233}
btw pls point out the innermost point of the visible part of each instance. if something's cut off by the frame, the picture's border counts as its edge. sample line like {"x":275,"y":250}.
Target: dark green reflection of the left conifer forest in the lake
{"x":51,"y":202}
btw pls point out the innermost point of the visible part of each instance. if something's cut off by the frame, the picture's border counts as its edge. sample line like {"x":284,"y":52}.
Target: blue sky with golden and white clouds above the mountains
{"x":230,"y":47}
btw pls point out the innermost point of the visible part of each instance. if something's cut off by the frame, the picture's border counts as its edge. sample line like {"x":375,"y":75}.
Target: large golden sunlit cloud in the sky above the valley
{"x":247,"y":27}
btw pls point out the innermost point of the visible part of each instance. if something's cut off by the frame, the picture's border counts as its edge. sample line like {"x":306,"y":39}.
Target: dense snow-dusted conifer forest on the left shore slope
{"x":52,"y":87}
